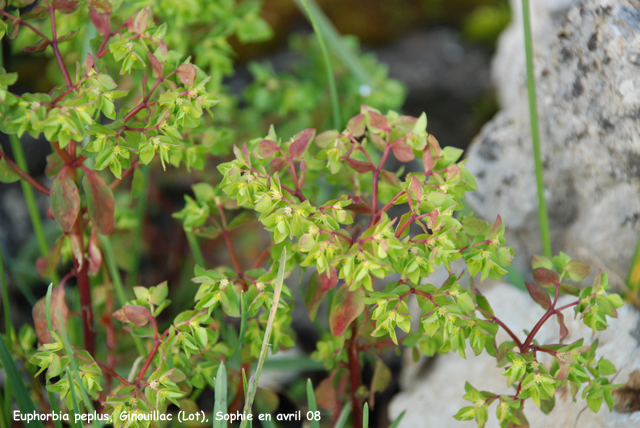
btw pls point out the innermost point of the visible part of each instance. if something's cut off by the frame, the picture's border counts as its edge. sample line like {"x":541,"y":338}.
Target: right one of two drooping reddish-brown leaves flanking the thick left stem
{"x":99,"y":202}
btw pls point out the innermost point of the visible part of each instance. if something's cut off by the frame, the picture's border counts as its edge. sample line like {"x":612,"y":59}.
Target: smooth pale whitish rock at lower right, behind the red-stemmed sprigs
{"x":431,"y":399}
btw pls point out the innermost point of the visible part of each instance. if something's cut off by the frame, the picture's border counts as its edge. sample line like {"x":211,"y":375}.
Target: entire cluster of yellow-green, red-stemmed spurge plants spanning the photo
{"x":372,"y":224}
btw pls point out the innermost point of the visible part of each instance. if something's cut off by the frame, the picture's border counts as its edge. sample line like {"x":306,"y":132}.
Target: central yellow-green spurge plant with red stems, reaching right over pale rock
{"x":351,"y":239}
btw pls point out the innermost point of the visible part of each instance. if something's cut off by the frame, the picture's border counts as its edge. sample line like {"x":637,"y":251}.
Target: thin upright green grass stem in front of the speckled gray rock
{"x":535,"y":133}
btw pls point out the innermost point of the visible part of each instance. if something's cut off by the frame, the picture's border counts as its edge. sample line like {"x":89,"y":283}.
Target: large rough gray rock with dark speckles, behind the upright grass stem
{"x":588,"y":80}
